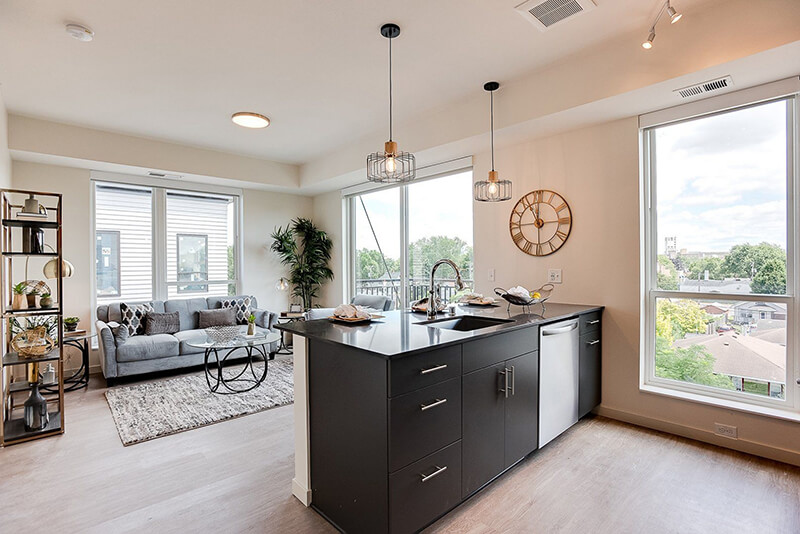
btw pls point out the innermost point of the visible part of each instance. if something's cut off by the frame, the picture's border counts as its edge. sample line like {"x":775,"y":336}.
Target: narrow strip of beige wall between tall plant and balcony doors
{"x":329,"y":215}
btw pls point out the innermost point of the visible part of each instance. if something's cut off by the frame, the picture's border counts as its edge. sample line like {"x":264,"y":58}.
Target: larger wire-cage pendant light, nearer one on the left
{"x":389,"y":165}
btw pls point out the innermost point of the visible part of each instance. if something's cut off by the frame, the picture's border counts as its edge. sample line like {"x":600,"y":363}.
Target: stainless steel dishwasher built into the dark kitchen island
{"x":558,"y":379}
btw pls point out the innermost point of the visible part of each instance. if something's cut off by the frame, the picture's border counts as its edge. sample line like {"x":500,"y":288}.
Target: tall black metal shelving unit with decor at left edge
{"x":16,"y":369}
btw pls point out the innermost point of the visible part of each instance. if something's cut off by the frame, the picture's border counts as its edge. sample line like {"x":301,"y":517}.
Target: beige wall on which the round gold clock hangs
{"x":597,"y":170}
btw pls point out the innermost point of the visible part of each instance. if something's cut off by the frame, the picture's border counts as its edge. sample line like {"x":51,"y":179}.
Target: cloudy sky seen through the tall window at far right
{"x":721,"y":180}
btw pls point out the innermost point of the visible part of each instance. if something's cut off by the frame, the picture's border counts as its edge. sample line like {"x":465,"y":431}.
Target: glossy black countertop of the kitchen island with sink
{"x":399,"y":334}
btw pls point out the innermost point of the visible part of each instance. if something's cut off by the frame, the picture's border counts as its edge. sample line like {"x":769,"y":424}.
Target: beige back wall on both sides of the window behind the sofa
{"x":262,"y":212}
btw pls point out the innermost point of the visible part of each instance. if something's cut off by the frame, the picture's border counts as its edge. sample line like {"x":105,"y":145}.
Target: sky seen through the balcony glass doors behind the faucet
{"x":441,"y":206}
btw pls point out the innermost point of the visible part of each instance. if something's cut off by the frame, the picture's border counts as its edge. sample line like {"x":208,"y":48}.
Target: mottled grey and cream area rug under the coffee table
{"x":147,"y":411}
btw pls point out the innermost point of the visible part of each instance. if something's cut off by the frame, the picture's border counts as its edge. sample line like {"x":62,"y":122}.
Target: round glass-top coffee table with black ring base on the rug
{"x":235,"y":381}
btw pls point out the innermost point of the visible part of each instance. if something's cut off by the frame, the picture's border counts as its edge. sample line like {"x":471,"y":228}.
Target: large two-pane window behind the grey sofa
{"x":158,"y":243}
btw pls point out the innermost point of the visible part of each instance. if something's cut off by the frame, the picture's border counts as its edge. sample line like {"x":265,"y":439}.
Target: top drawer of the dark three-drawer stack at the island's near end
{"x":422,"y":370}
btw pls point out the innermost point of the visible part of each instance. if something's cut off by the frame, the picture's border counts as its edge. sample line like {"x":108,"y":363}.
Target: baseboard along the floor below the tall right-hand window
{"x":706,"y":436}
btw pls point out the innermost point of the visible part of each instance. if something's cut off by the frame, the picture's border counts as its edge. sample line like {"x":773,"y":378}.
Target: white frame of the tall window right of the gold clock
{"x":789,"y":408}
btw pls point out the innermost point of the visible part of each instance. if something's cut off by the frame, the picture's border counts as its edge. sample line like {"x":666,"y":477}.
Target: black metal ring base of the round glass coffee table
{"x":221,"y":384}
